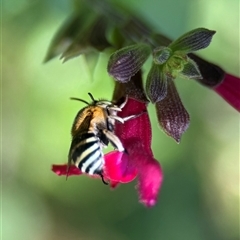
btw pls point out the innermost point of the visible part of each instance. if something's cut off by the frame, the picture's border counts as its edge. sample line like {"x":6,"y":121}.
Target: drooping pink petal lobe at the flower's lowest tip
{"x":150,"y":181}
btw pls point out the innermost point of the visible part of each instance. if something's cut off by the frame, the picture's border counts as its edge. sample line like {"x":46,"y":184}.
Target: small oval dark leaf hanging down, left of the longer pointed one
{"x":156,"y":85}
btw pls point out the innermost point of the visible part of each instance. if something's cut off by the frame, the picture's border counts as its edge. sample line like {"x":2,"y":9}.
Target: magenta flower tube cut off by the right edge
{"x":229,"y":89}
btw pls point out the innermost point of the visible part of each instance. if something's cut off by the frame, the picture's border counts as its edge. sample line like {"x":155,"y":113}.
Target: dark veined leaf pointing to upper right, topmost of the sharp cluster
{"x":192,"y":41}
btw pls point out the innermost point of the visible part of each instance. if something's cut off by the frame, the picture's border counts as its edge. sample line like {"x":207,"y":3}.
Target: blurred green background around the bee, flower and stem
{"x":199,"y":199}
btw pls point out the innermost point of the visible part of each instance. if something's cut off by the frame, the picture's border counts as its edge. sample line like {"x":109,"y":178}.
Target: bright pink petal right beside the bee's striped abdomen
{"x":118,"y":168}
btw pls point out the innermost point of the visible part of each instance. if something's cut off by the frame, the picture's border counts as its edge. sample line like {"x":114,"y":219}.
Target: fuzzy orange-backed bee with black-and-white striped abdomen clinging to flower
{"x":92,"y":130}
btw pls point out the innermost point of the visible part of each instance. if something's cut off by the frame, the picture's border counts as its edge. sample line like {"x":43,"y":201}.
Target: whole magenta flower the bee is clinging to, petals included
{"x":138,"y":160}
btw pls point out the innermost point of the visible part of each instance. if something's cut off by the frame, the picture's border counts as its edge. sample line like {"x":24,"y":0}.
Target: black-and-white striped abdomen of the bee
{"x":86,"y":153}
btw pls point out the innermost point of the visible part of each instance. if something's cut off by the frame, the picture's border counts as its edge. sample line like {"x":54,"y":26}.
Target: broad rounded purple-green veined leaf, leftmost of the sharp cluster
{"x":126,"y":62}
